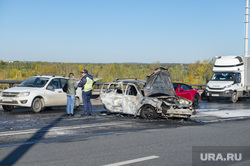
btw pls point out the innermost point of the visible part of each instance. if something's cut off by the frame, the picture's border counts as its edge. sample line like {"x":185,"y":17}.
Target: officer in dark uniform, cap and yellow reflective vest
{"x":87,"y":85}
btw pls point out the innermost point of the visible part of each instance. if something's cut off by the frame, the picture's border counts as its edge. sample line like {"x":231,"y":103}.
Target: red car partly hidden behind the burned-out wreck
{"x":186,"y":91}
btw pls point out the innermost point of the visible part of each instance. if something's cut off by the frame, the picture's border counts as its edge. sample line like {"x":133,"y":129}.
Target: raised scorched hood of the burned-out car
{"x":159,"y":83}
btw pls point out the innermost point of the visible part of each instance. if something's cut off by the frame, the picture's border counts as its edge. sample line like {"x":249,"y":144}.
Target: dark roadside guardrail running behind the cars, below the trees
{"x":98,"y":84}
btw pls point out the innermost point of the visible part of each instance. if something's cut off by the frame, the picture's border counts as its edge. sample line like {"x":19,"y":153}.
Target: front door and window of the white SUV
{"x":54,"y":94}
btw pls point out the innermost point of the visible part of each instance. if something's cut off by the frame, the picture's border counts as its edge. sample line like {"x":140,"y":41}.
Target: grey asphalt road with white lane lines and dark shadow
{"x":51,"y":138}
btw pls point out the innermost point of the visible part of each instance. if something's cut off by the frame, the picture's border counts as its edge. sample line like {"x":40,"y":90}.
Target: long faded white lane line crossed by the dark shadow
{"x":32,"y":131}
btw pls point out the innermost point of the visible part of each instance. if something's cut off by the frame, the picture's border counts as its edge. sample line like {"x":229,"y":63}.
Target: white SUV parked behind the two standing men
{"x":37,"y":92}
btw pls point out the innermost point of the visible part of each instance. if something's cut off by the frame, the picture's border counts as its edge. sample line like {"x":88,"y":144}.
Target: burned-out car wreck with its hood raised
{"x":148,"y":99}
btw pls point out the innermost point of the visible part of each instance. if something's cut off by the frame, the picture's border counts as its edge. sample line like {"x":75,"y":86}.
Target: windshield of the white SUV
{"x":37,"y":82}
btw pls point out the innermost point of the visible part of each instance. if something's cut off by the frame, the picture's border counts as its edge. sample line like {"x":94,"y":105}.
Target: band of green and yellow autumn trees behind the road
{"x":193,"y":73}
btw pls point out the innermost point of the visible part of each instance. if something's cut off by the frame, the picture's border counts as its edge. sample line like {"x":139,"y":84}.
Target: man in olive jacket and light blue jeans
{"x":71,"y":93}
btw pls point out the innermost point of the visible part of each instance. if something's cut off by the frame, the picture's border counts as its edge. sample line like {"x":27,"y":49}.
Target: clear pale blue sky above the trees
{"x":108,"y":31}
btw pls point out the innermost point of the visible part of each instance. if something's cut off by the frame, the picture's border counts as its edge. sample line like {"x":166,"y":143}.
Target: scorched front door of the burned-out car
{"x":132,"y":99}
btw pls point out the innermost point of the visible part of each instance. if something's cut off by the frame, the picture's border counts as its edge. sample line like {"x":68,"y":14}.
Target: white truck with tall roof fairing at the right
{"x":231,"y":78}
